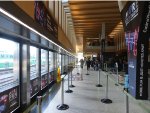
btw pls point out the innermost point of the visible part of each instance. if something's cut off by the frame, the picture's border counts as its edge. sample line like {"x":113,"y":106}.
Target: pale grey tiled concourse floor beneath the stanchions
{"x":86,"y":97}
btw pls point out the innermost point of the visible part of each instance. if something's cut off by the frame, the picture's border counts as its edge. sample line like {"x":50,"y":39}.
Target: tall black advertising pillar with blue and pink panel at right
{"x":135,"y":18}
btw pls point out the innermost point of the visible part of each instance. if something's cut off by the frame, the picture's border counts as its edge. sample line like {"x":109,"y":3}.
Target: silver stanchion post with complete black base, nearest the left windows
{"x":62,"y":106}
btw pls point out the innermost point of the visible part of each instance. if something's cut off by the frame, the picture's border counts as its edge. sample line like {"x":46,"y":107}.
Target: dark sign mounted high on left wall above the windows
{"x":43,"y":17}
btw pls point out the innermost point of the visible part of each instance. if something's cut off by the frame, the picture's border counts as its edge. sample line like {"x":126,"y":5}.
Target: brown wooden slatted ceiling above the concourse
{"x":88,"y":17}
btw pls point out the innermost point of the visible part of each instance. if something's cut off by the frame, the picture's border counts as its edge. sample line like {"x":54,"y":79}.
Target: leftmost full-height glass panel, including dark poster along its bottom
{"x":9,"y":75}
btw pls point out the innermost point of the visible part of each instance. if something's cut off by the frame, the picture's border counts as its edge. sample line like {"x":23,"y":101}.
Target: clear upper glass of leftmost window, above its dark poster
{"x":9,"y":64}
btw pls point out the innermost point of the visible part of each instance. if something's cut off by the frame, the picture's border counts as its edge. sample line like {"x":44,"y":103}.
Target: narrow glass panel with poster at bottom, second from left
{"x":34,"y":70}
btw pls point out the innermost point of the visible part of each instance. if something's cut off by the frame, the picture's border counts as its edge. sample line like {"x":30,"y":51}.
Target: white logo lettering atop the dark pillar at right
{"x":131,"y":13}
